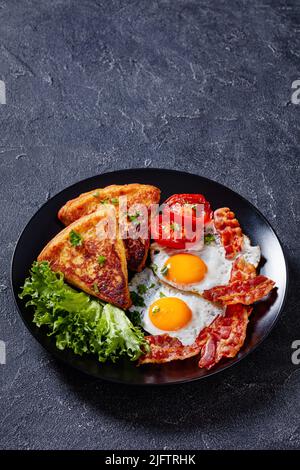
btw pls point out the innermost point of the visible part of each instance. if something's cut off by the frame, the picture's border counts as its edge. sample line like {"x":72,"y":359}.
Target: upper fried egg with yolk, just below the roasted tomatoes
{"x":196,"y":271}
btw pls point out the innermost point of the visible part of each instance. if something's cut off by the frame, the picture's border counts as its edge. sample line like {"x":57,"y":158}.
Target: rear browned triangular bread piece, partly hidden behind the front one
{"x":86,"y":203}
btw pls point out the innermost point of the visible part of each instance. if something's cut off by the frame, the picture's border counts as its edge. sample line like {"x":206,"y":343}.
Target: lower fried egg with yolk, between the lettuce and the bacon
{"x":164,"y":309}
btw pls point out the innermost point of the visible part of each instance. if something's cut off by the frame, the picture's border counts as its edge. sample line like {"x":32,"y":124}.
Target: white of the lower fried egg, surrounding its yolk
{"x":203,"y":311}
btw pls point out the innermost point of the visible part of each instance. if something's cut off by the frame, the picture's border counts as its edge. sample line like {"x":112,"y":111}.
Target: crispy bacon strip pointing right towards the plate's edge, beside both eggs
{"x":245,"y":292}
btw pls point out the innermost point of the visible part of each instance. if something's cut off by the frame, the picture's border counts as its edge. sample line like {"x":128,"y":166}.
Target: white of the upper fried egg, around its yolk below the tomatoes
{"x":218,"y":266}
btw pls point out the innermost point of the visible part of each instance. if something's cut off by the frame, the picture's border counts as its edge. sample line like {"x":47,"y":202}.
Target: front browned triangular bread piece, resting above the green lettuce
{"x":80,"y":265}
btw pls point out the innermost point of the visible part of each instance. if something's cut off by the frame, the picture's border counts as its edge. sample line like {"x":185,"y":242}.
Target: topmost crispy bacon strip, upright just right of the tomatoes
{"x":229,"y":230}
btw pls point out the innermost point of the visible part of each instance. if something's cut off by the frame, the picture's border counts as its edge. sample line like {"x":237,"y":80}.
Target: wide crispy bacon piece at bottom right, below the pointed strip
{"x":225,"y":336}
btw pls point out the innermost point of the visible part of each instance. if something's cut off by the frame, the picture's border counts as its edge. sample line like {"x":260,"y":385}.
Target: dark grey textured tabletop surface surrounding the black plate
{"x":202,"y":86}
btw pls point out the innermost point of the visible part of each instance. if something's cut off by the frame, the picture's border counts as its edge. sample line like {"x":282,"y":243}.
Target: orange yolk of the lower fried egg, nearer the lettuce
{"x":170,"y":313}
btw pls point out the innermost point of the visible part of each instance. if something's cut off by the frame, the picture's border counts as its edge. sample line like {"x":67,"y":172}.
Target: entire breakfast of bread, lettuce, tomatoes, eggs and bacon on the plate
{"x":192,"y":299}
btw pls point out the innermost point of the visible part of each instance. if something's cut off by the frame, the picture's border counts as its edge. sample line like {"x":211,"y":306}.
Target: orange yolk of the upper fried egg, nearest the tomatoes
{"x":185,"y":268}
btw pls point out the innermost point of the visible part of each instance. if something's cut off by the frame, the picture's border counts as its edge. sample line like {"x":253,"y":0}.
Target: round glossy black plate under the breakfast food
{"x":44,"y":225}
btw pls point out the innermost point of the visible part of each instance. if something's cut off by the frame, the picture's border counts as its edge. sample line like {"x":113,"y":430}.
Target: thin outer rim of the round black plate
{"x":153,"y":384}
